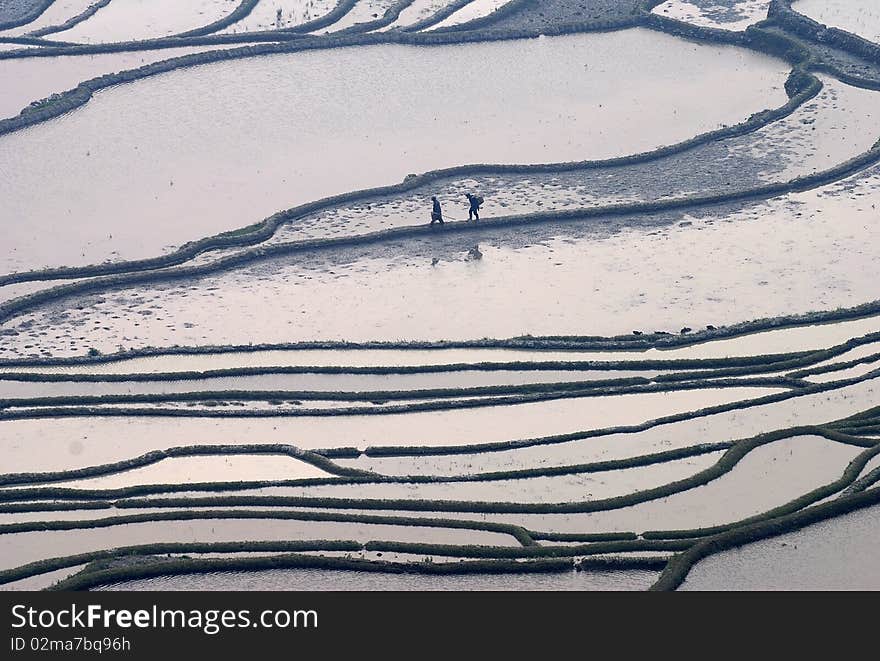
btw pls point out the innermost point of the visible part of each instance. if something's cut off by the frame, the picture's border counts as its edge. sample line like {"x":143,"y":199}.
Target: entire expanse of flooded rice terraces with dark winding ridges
{"x":237,"y":354}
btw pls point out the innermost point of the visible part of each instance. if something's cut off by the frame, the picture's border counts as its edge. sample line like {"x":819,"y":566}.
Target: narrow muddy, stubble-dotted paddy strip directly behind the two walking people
{"x":838,"y":124}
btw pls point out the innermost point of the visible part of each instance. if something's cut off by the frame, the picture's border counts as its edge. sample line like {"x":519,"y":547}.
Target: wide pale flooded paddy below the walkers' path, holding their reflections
{"x":771,"y":266}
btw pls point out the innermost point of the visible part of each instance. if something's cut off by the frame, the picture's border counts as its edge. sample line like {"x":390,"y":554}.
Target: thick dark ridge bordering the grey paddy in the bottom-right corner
{"x":680,"y":565}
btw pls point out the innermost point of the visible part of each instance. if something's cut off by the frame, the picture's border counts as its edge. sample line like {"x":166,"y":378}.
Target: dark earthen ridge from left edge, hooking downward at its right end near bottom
{"x":517,"y":532}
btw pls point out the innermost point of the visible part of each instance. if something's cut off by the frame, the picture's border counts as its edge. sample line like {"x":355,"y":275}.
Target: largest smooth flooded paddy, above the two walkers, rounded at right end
{"x":218,"y":182}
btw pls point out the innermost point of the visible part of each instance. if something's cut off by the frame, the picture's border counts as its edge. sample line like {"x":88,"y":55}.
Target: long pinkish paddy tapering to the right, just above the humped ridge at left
{"x":35,"y":445}
